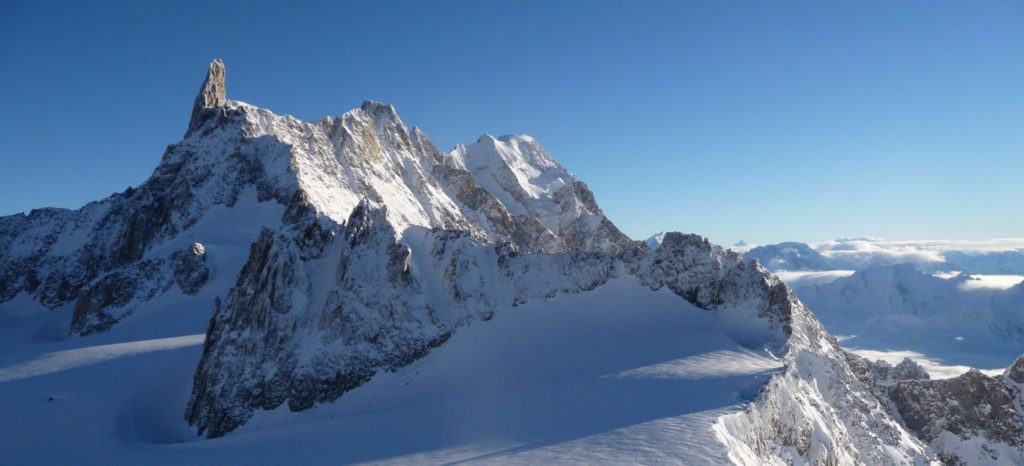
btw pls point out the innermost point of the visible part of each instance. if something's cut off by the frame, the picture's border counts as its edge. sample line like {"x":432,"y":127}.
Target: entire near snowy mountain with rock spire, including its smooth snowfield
{"x":408,"y":305}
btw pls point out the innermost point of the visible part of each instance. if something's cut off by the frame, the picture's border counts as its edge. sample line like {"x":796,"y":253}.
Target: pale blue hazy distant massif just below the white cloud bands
{"x":901,"y":308}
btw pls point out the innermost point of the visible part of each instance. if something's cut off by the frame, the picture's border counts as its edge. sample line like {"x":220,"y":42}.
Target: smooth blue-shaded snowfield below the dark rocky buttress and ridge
{"x":621,"y":375}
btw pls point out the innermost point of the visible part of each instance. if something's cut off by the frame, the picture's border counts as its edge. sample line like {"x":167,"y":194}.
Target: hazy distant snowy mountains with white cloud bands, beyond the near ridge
{"x":937,"y":302}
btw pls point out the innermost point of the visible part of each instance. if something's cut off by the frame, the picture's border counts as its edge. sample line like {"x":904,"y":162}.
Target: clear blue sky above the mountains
{"x":764,"y":121}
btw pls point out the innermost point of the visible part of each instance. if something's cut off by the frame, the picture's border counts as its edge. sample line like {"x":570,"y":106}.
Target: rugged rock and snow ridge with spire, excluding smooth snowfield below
{"x":383,"y":246}
